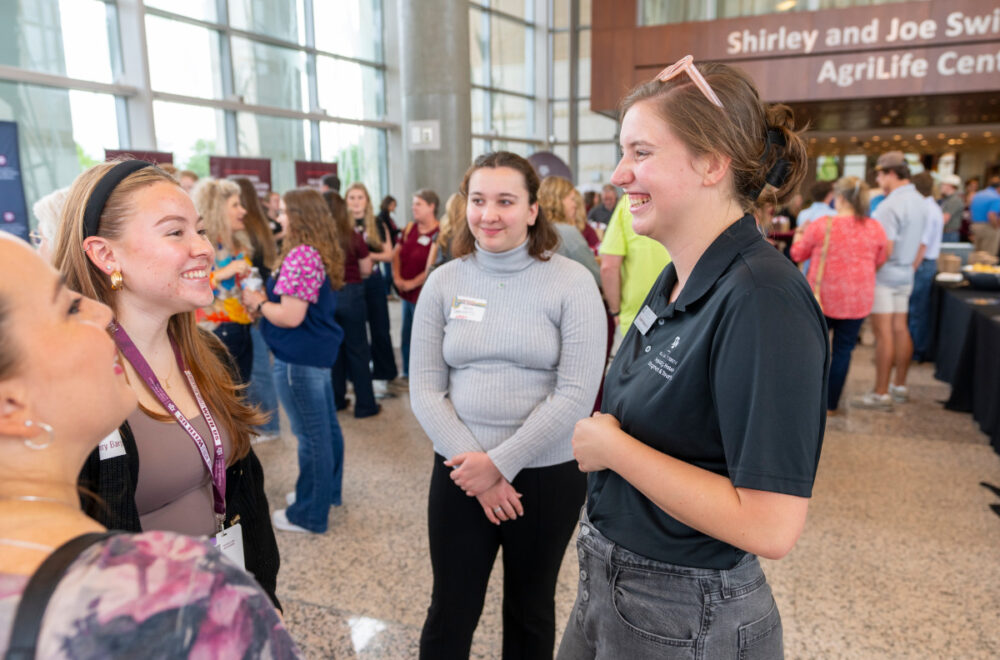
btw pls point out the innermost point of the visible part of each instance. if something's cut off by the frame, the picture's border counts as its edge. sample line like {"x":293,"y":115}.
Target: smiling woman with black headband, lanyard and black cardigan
{"x":182,"y":462}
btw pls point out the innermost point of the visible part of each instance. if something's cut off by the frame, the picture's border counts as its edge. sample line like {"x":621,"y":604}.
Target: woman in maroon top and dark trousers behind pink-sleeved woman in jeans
{"x":351,"y":315}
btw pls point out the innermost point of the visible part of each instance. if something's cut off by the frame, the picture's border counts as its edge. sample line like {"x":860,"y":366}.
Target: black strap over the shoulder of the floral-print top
{"x":28,"y":620}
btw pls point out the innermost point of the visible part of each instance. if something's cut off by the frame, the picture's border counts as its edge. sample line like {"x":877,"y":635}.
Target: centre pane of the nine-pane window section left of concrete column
{"x":269,"y":75}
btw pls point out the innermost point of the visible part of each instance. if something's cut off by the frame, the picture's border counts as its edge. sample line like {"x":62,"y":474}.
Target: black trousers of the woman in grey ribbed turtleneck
{"x":464,"y":545}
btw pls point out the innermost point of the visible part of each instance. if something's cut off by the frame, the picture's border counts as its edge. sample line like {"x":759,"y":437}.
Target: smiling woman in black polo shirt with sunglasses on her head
{"x":705,"y":451}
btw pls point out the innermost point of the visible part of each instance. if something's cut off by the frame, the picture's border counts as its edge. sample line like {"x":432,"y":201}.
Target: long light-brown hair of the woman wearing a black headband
{"x":223,"y":396}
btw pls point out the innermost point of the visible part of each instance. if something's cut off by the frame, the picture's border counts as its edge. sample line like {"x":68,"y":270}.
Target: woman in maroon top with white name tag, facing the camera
{"x":411,"y":261}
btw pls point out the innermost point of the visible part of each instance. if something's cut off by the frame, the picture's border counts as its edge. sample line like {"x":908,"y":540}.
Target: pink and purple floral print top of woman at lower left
{"x":131,"y":594}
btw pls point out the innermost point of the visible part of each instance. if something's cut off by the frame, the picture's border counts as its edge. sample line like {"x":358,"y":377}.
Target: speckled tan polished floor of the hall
{"x":900,"y":557}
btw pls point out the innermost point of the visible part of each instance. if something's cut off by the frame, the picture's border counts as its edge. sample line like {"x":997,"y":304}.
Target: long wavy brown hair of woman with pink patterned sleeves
{"x":310,"y":223}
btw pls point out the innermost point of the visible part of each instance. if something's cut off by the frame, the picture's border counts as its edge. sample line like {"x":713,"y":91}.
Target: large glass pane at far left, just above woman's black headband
{"x":61,"y":132}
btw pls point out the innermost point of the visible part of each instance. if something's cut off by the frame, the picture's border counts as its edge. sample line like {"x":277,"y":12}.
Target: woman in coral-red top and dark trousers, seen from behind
{"x":856,"y":249}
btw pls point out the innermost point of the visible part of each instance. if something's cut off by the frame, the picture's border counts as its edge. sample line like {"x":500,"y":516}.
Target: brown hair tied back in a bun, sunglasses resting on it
{"x":738,"y":130}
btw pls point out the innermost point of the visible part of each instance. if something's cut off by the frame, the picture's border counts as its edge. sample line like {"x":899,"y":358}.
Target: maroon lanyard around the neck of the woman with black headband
{"x":218,"y":472}
